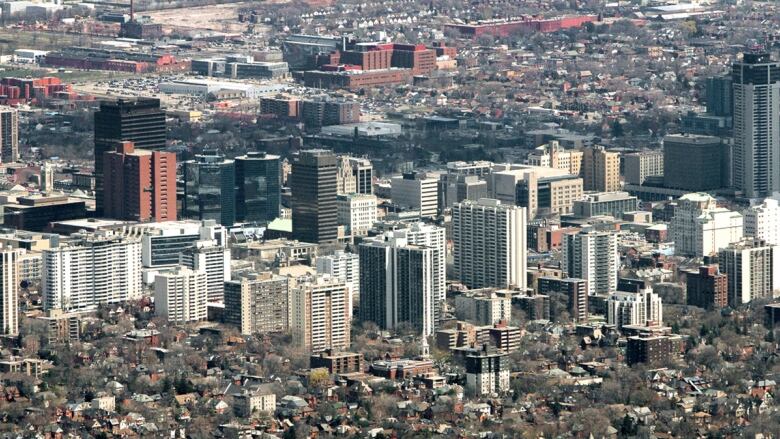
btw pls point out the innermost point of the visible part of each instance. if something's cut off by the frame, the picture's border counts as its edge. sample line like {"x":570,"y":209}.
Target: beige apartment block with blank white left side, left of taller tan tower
{"x":258,"y":303}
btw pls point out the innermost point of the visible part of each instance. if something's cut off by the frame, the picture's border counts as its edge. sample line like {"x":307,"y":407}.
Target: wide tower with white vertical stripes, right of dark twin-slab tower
{"x":489,"y":244}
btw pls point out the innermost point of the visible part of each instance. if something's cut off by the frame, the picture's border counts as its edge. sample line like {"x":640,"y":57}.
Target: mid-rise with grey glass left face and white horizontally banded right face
{"x":416,"y":191}
